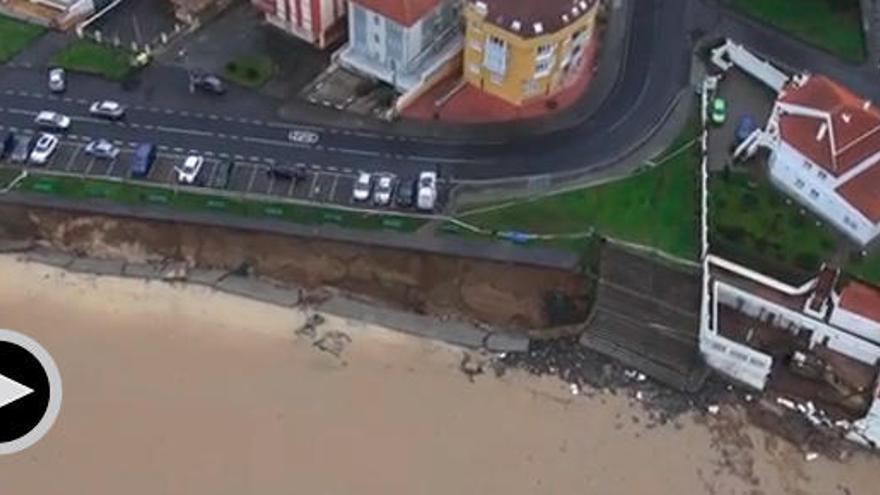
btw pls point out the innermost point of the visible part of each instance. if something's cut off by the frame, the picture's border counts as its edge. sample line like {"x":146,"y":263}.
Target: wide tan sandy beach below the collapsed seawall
{"x":174,"y":389}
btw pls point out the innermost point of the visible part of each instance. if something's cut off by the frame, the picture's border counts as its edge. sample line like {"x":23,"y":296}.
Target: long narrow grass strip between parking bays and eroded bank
{"x":137,"y":194}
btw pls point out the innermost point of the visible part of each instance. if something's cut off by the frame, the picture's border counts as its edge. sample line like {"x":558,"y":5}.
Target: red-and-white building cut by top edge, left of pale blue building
{"x":319,"y":22}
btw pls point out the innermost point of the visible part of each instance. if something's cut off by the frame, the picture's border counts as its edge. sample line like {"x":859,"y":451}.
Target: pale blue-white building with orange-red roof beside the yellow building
{"x":406,"y":43}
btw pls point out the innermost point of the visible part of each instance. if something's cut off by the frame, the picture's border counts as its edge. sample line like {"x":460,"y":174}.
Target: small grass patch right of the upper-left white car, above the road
{"x":93,"y":58}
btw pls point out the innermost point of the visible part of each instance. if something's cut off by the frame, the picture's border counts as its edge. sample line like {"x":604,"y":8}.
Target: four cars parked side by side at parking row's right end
{"x":385,"y":188}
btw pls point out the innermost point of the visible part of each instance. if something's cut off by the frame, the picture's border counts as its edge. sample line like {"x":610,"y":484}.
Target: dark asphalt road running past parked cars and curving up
{"x":241,"y":124}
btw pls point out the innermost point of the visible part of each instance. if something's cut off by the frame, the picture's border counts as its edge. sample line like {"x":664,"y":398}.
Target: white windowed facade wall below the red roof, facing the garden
{"x":798,"y":177}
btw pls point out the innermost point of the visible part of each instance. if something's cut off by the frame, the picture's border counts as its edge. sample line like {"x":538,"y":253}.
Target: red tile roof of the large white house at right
{"x":854,"y":127}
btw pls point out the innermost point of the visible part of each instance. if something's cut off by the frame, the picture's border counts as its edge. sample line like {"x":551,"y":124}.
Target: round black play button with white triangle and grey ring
{"x":30,"y":392}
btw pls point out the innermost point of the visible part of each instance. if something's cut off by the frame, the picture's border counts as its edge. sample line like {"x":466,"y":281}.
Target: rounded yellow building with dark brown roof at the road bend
{"x":526,"y":50}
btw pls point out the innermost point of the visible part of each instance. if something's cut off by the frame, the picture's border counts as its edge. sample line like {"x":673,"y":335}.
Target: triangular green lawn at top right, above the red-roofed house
{"x":834,"y":25}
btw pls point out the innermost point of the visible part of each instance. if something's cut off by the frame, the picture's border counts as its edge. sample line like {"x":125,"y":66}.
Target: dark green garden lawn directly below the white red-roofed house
{"x":753,"y":223}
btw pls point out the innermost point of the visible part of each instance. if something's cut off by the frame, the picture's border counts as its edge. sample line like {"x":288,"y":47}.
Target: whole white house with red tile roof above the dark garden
{"x":825,"y":153}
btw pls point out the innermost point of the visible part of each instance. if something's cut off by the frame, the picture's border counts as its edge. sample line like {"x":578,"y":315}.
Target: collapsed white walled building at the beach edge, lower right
{"x":817,"y":344}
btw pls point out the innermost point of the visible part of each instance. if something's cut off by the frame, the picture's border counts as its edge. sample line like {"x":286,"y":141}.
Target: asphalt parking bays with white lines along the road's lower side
{"x":252,"y":177}
